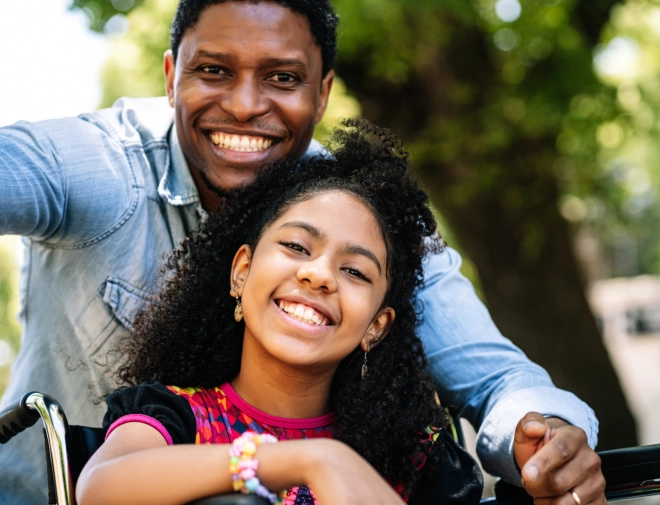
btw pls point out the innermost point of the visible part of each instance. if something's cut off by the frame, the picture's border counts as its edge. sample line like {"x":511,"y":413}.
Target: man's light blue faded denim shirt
{"x":102,"y":198}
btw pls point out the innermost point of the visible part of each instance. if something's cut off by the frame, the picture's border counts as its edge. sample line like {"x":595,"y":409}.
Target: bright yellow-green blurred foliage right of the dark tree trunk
{"x":614,"y":174}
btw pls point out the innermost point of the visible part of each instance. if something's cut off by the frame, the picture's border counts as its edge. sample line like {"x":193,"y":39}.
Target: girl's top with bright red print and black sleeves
{"x":219,"y":416}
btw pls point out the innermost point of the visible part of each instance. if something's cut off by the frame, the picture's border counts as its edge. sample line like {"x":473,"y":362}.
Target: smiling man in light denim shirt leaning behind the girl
{"x":103,"y":197}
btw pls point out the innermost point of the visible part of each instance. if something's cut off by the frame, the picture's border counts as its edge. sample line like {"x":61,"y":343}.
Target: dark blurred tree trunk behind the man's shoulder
{"x":502,"y":207}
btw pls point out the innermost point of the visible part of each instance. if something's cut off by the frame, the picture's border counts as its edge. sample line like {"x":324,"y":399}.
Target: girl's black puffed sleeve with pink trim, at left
{"x":154,"y":400}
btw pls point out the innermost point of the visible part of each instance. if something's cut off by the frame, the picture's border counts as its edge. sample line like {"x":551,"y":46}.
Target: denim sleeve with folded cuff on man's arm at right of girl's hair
{"x":483,"y":374}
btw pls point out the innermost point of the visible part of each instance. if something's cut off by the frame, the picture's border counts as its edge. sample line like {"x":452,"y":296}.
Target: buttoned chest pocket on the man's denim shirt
{"x":108,"y":317}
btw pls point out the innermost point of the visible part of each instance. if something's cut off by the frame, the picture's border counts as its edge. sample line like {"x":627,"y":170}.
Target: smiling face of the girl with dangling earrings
{"x":313,"y":287}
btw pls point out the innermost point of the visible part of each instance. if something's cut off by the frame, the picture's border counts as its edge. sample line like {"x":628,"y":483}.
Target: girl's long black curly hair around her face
{"x":187,"y":336}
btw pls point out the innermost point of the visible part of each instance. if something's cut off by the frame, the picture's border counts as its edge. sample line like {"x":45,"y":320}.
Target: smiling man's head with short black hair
{"x":247,"y":88}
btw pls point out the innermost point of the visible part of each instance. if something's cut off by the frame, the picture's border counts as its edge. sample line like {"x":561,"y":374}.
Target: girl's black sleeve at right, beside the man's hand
{"x":456,"y":481}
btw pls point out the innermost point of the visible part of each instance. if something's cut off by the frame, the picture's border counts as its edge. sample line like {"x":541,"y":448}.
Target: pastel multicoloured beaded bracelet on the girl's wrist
{"x":243,"y":466}
